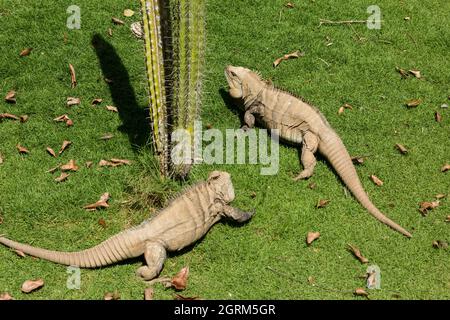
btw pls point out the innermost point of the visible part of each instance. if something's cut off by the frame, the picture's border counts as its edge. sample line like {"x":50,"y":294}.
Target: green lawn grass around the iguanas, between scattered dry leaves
{"x":232,"y":262}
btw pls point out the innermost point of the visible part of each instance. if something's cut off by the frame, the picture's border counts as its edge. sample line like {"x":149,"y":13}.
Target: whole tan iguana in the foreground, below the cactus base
{"x":185,"y":220}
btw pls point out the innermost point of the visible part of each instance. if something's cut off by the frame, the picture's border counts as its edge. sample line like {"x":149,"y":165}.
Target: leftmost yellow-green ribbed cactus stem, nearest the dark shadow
{"x":156,"y":80}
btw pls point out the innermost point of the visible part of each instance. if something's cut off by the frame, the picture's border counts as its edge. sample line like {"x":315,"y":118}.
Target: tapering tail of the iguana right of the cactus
{"x":334,"y":150}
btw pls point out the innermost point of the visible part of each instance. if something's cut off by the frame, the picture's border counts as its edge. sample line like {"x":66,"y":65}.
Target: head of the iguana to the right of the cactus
{"x":243,"y":82}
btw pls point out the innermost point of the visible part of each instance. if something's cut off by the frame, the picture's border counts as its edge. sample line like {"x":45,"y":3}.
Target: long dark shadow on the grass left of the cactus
{"x":135,"y":120}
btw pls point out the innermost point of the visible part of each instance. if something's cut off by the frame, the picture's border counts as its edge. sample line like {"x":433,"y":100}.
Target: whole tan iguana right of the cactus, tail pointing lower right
{"x":298,"y":123}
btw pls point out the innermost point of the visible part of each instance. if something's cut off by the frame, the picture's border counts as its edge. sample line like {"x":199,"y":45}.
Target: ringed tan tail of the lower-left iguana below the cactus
{"x":115,"y":249}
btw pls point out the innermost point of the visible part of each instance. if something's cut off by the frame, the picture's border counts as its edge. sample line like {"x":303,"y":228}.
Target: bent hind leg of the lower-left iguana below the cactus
{"x":155,"y":255}
